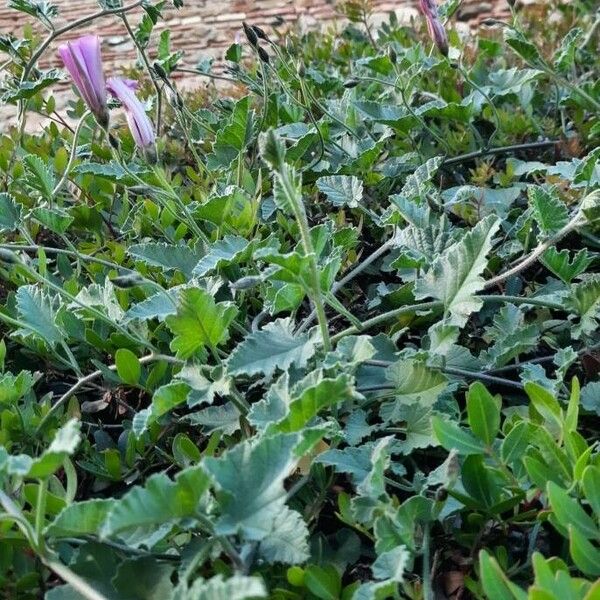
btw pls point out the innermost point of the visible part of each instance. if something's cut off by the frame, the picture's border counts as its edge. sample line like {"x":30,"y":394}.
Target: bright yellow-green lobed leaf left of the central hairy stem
{"x":199,"y":322}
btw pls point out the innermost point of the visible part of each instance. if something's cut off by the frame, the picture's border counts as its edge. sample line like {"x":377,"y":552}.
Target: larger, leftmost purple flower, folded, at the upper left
{"x":83,"y":59}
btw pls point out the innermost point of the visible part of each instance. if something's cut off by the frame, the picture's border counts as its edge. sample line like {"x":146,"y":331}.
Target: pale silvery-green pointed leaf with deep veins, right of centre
{"x":455,"y":277}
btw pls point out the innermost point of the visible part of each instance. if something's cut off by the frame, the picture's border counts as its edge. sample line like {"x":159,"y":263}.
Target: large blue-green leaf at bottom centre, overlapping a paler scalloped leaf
{"x":250,"y":478}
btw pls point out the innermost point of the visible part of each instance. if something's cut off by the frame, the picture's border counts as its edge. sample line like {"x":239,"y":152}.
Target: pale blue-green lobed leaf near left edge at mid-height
{"x":37,"y":312}
